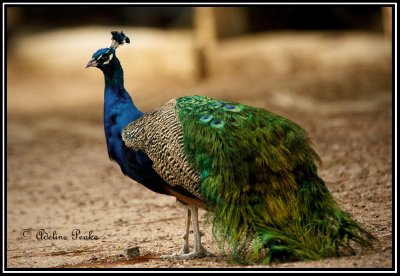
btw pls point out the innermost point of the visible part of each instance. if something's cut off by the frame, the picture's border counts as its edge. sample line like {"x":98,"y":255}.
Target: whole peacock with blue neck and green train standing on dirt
{"x":252,"y":170}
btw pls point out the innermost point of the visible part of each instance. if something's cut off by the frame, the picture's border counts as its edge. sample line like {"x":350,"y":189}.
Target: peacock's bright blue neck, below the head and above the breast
{"x":119,"y":109}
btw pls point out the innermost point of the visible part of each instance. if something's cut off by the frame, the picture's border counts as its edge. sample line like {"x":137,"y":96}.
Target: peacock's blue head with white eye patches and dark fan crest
{"x":102,"y":58}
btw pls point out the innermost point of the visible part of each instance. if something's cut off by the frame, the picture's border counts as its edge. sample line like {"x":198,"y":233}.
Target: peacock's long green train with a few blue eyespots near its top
{"x":258,"y":175}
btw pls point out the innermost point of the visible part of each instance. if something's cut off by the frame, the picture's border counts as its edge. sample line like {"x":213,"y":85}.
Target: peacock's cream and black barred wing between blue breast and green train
{"x":159,"y":134}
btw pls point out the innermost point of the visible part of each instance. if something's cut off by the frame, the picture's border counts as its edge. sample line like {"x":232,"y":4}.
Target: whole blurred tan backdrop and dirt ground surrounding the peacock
{"x":327,"y":67}
